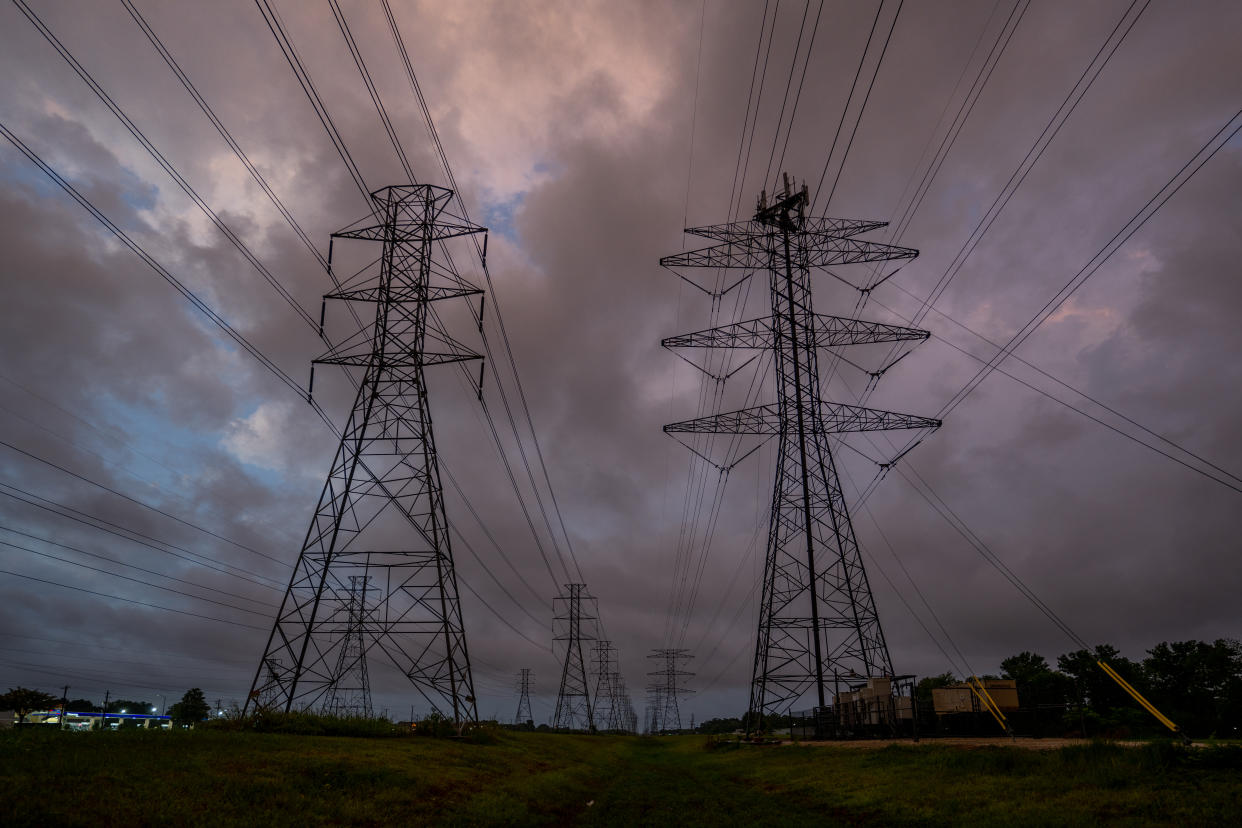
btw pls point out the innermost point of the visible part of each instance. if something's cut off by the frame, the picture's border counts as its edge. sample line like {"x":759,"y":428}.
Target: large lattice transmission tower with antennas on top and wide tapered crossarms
{"x":818,"y":619}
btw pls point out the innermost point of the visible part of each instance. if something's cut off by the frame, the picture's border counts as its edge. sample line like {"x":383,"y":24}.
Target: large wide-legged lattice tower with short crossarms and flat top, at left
{"x":382,"y":512}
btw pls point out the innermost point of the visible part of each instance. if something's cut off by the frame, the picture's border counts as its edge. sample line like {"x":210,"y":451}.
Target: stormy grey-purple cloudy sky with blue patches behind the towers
{"x":587,"y":136}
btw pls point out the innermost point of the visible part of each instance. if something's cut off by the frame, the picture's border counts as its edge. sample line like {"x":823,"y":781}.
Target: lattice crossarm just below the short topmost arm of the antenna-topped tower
{"x":820,"y":250}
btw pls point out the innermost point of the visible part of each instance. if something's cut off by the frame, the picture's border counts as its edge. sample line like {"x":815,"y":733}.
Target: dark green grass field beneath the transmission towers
{"x":217,"y":778}
